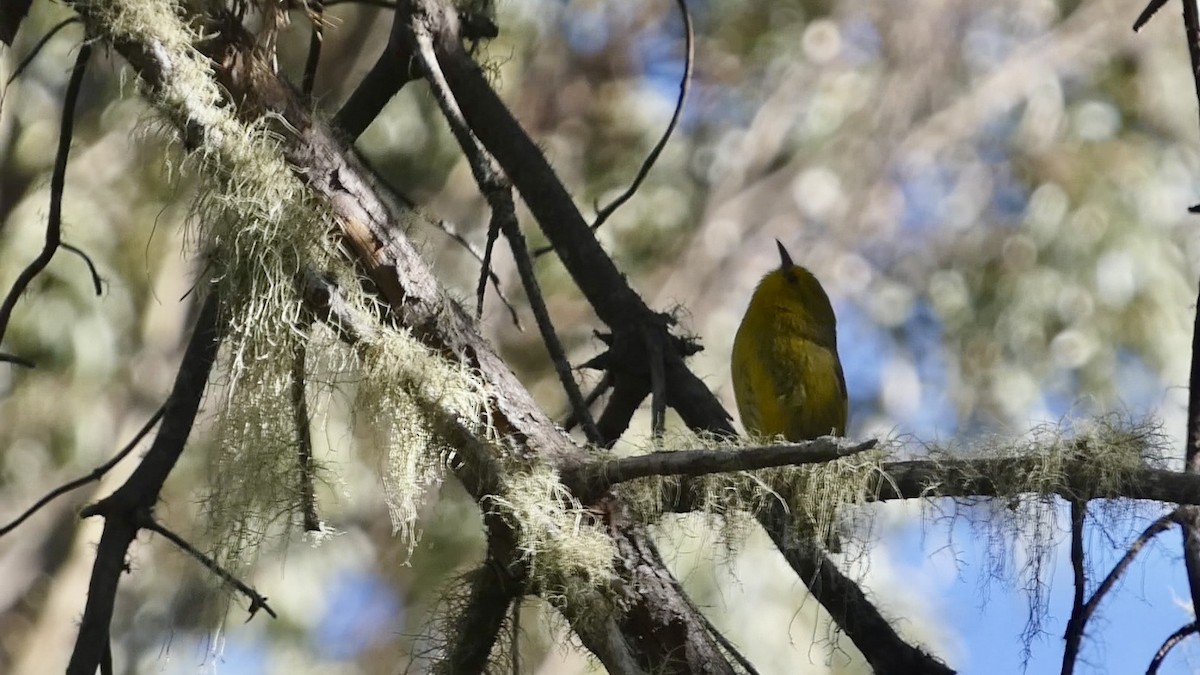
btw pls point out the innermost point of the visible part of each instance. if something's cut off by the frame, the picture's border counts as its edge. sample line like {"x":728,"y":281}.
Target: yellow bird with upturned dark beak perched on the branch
{"x":787,"y":375}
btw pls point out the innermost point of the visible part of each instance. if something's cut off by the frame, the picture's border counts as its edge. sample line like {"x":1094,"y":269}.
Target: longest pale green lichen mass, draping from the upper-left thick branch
{"x":257,"y":232}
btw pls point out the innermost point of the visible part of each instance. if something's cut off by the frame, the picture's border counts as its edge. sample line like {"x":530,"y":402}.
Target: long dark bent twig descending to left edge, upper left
{"x":58,"y":181}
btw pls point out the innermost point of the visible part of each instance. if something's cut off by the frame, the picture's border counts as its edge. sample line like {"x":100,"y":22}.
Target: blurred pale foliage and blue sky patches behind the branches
{"x":994,"y":195}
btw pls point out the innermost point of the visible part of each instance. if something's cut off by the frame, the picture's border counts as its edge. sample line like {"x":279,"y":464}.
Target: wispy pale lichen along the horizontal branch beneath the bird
{"x":1112,"y":449}
